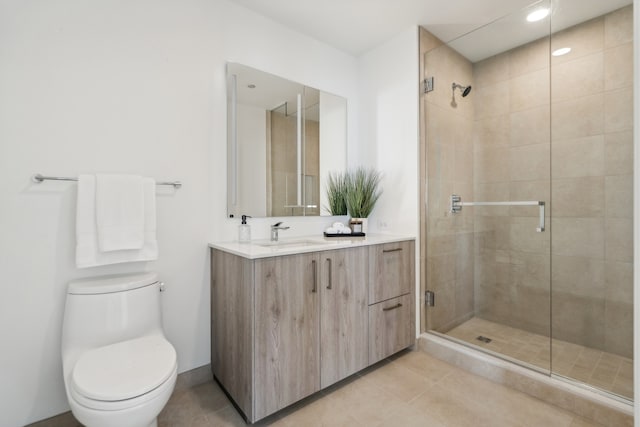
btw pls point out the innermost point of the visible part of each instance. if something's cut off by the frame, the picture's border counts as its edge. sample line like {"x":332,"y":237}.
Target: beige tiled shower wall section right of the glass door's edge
{"x":592,"y":188}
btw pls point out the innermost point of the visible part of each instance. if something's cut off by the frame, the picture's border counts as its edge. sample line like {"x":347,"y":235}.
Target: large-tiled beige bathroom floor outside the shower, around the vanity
{"x":410,"y":389}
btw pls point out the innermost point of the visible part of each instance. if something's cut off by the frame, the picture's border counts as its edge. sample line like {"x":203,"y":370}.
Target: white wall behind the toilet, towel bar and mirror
{"x":124,"y":87}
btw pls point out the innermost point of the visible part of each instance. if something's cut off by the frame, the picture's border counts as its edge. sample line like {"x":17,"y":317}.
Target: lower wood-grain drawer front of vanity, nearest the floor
{"x":390,"y":328}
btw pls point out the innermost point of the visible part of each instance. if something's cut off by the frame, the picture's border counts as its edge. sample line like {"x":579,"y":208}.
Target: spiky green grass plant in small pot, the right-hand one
{"x":361,"y":194}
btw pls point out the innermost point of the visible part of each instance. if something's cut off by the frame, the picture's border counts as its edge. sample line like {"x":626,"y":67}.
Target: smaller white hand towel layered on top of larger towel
{"x":119,"y":212}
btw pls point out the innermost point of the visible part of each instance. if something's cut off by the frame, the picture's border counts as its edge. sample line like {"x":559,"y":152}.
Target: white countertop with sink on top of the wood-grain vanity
{"x":296,"y":245}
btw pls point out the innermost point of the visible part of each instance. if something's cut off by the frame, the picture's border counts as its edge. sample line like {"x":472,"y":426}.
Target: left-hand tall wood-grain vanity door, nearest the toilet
{"x":287,"y":357}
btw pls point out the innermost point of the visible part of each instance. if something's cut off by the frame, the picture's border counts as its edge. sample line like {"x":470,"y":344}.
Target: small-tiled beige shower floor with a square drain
{"x":607,"y":371}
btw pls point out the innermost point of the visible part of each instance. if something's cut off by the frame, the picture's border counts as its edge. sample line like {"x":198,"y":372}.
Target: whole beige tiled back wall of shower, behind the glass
{"x":587,"y":117}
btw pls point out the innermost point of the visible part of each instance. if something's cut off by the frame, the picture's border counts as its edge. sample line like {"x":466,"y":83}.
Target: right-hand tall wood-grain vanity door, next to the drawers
{"x":344,"y":313}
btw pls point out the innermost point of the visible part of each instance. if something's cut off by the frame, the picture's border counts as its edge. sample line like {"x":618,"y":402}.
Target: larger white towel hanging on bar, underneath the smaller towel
{"x":88,"y":253}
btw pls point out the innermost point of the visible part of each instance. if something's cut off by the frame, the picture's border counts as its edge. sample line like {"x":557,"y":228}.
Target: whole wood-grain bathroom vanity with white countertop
{"x":293,"y":317}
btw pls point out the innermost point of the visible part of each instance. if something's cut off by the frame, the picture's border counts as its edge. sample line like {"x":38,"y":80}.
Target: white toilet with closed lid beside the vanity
{"x":119,"y":369}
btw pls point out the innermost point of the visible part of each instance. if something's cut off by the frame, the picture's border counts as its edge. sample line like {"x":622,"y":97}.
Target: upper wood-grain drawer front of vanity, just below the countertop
{"x":391,"y":270}
